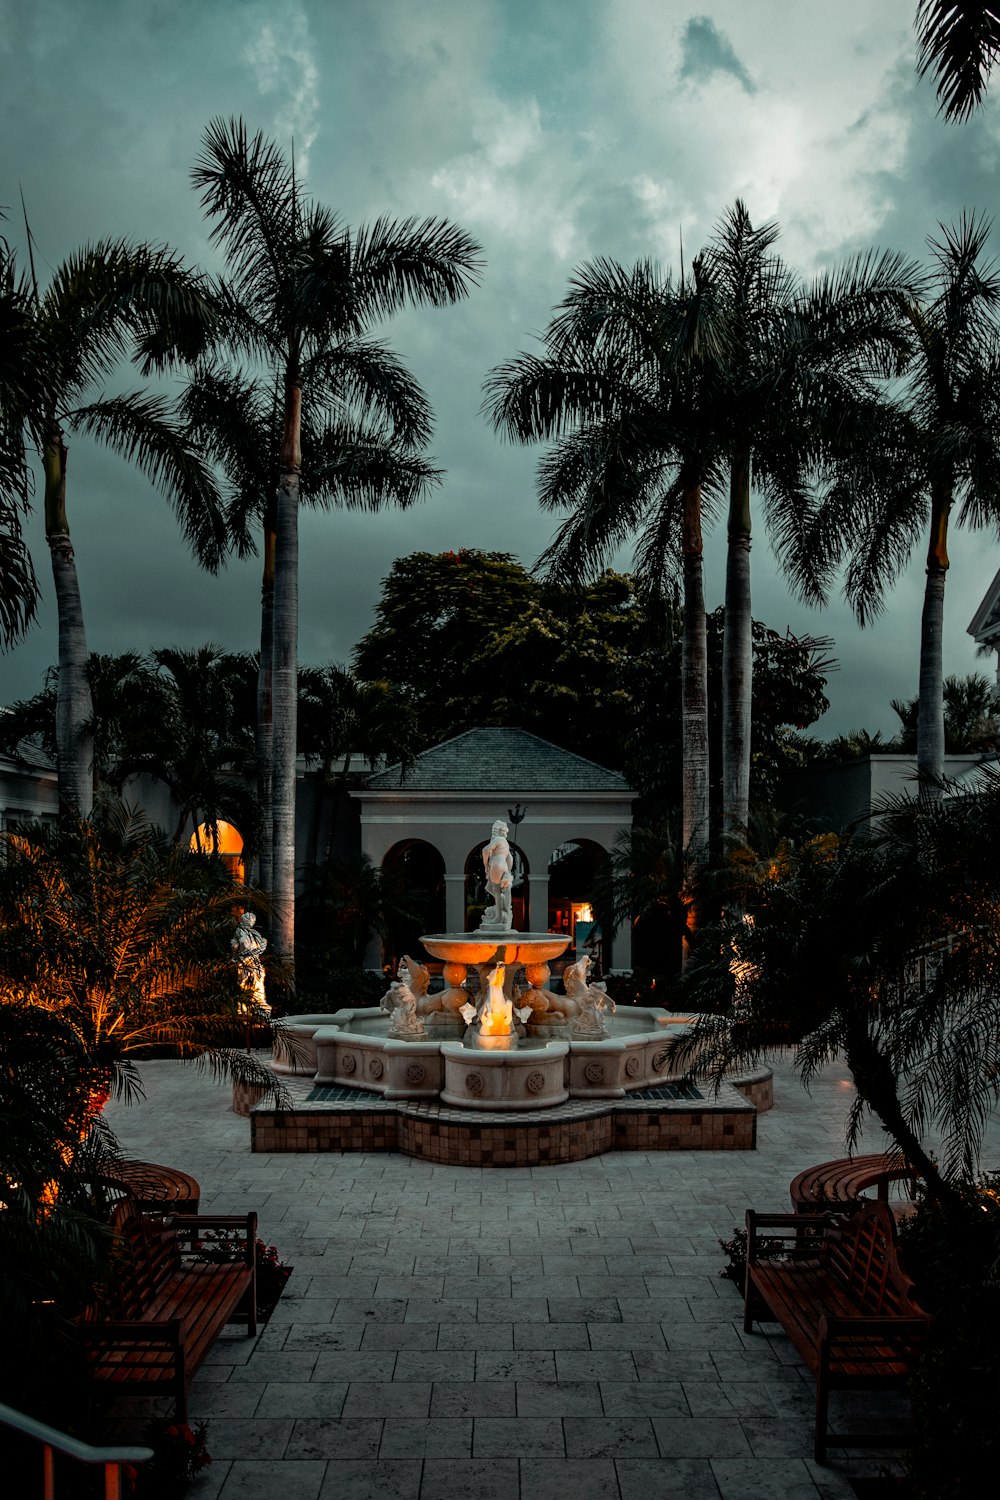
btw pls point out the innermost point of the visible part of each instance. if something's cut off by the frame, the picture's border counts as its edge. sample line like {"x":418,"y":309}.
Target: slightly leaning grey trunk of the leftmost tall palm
{"x":74,"y":706}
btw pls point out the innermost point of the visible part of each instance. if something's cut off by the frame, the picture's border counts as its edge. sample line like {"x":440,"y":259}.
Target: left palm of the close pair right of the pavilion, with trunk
{"x":621,"y":389}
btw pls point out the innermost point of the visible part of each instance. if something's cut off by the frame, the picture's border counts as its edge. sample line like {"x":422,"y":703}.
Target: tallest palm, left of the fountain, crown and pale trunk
{"x":302,"y":296}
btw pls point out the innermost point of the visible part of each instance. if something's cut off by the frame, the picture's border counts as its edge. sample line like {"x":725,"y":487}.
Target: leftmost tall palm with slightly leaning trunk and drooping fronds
{"x":104,"y":304}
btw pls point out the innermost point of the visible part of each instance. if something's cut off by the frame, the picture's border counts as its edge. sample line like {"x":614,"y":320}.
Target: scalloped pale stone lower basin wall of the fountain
{"x":352,"y":1049}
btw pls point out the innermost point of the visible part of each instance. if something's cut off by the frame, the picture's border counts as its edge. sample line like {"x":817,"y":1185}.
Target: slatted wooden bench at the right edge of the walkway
{"x":840,"y":1294}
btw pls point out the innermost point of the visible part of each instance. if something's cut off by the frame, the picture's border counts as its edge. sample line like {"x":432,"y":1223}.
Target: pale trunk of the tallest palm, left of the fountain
{"x":286,"y":686}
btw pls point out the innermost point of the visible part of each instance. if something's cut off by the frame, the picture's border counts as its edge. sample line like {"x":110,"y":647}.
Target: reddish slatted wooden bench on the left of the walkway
{"x":182,"y":1280}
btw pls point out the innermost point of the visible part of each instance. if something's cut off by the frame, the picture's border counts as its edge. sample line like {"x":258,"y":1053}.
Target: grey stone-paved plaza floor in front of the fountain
{"x":503,"y":1334}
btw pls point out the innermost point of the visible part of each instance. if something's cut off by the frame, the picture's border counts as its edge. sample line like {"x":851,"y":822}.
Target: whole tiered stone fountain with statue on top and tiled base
{"x":497,"y":1042}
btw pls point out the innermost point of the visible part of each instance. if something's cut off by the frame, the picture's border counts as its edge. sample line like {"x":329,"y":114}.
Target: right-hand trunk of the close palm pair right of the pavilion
{"x":737,"y":656}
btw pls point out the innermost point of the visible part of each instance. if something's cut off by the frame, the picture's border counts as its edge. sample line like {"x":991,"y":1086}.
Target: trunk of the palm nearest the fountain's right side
{"x":695,"y":796}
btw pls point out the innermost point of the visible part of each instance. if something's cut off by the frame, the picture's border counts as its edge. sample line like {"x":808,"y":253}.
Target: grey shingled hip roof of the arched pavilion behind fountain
{"x":500,"y":761}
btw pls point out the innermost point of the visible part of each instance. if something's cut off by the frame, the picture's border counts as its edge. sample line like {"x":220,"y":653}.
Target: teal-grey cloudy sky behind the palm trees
{"x":554,"y":131}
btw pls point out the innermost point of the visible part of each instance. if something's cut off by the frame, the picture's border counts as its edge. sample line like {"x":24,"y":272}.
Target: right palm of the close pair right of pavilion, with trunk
{"x":797,"y":377}
